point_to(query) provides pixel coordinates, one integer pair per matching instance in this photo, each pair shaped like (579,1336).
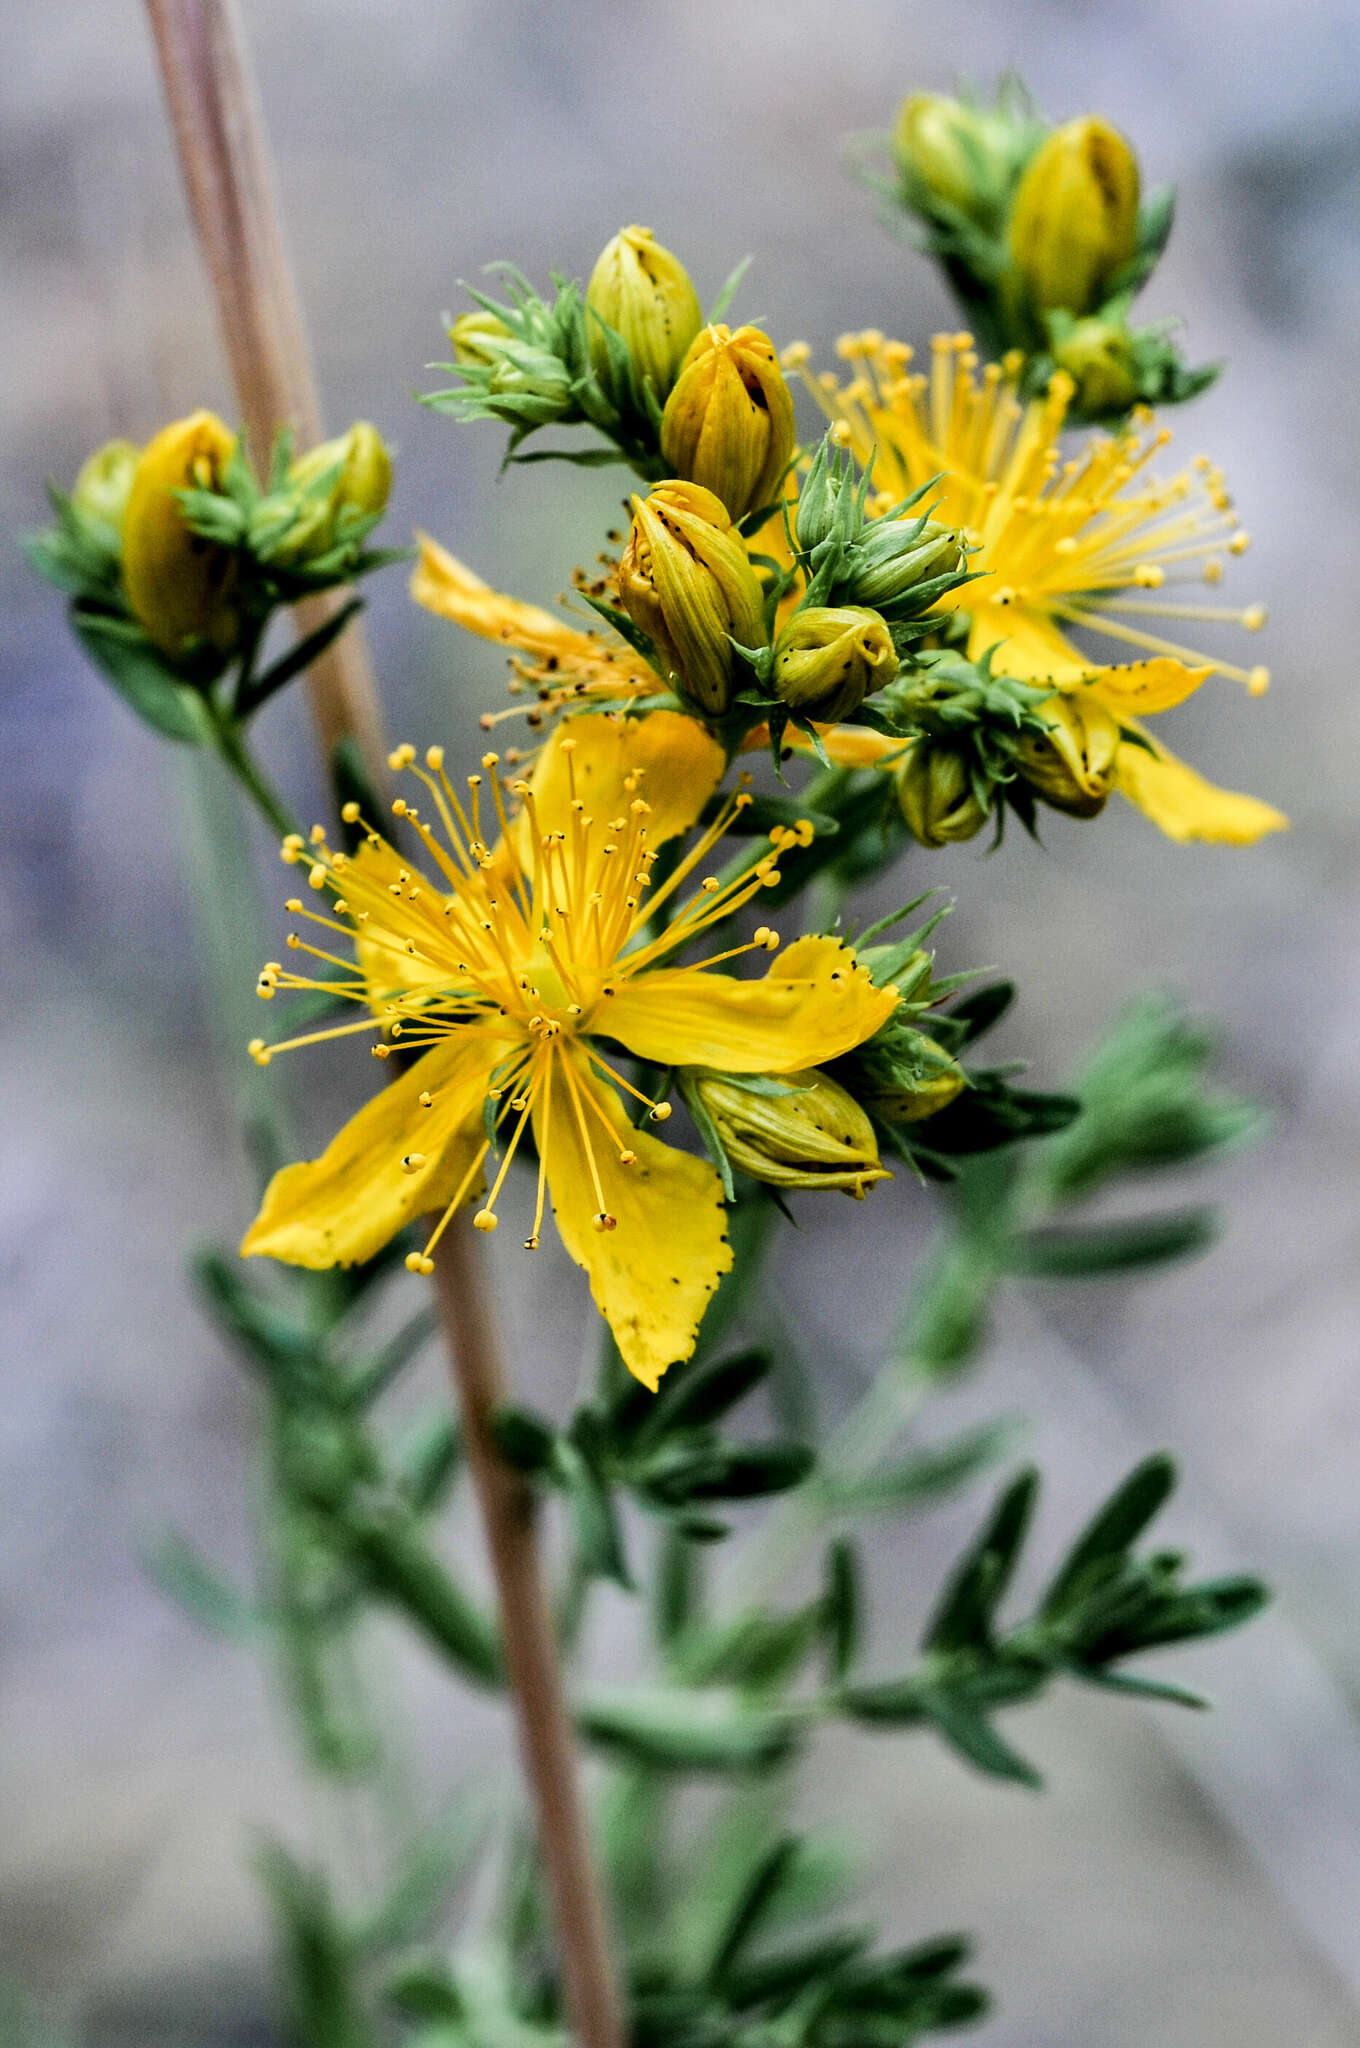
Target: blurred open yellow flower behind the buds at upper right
(1093,542)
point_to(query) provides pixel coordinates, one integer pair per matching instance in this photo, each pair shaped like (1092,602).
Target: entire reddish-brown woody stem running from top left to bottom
(228,177)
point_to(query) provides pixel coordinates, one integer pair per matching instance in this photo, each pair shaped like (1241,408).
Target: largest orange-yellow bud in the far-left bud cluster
(179,585)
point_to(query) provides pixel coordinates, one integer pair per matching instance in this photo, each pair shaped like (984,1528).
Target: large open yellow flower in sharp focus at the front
(507,970)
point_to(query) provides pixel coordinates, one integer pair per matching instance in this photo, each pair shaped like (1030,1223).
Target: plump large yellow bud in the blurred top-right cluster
(1074,222)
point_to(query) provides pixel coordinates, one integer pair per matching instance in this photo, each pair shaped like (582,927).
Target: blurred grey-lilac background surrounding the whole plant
(1175,1885)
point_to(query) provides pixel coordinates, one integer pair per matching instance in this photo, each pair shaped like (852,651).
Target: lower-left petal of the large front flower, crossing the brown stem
(347,1205)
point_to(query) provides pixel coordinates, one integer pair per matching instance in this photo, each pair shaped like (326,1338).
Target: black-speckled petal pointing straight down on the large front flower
(656,1271)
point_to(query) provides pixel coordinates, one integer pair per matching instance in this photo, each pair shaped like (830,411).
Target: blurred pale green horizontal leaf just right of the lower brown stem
(693,1732)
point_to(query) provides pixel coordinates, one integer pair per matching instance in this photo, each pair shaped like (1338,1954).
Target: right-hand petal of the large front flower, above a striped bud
(812,1007)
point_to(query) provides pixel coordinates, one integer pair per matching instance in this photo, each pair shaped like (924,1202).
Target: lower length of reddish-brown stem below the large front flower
(529,1648)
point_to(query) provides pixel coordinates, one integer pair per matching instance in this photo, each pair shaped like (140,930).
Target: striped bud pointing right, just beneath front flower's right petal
(810,1136)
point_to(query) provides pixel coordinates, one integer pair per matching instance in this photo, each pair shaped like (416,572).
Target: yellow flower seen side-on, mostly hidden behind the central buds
(562,665)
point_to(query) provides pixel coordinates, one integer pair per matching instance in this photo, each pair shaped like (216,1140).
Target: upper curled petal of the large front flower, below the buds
(607,761)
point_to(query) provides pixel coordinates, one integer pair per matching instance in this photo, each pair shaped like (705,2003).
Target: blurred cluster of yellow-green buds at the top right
(1046,237)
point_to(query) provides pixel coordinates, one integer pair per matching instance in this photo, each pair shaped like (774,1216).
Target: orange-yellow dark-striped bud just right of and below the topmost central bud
(728,425)
